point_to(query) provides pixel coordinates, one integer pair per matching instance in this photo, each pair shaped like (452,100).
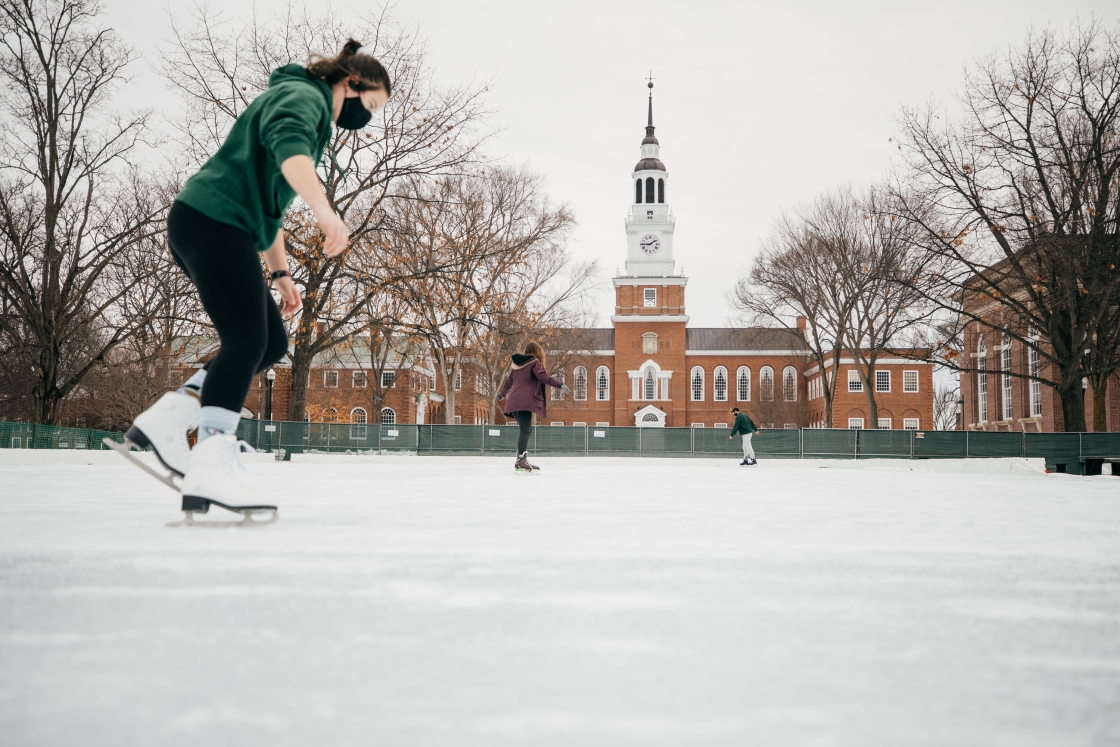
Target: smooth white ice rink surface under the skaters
(415,602)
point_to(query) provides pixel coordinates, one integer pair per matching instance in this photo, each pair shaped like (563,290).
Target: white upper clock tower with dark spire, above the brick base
(650,222)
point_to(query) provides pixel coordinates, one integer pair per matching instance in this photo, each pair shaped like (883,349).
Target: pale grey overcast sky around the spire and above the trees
(759,106)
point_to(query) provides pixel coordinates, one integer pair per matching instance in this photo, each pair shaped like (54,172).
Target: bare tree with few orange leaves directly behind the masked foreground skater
(220,67)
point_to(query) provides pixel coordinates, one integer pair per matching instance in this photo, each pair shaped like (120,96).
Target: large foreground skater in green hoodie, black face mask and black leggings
(227,217)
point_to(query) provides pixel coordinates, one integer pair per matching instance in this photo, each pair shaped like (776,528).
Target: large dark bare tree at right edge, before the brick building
(1018,201)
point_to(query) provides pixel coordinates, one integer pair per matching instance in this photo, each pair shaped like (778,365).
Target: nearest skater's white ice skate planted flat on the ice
(218,478)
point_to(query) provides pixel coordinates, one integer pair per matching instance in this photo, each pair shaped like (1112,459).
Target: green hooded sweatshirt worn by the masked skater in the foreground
(241,184)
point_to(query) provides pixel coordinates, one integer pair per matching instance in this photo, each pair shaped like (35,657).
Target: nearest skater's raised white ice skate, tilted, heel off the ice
(164,428)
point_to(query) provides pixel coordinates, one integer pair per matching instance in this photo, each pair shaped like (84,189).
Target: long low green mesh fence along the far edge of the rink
(1072,453)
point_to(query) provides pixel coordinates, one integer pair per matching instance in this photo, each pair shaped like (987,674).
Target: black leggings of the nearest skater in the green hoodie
(226,267)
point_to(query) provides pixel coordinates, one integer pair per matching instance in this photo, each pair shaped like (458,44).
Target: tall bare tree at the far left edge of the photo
(73,212)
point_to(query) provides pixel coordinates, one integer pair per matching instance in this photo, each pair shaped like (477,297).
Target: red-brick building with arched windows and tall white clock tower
(650,369)
